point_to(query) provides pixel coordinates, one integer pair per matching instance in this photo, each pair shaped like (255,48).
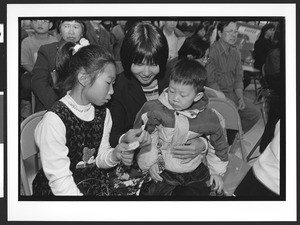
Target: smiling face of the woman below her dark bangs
(145,73)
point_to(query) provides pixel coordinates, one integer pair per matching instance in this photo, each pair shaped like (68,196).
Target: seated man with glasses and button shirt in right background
(225,73)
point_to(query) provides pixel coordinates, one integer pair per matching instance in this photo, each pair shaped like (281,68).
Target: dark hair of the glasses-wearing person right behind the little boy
(194,46)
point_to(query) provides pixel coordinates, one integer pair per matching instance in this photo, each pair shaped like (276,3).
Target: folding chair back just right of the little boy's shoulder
(232,121)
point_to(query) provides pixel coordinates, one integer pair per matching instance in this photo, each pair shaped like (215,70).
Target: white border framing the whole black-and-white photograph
(150,210)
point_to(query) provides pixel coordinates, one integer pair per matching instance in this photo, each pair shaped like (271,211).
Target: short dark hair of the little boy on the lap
(189,72)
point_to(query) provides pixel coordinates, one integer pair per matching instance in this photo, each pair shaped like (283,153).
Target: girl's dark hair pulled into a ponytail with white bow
(91,58)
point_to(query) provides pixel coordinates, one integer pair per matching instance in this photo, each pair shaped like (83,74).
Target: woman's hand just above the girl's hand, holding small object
(137,135)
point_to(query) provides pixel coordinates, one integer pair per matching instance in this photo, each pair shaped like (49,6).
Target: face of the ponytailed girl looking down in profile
(101,90)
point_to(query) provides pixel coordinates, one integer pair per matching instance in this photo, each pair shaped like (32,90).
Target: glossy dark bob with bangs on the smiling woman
(144,41)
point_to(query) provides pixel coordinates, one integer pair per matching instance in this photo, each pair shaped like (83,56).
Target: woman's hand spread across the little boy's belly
(190,150)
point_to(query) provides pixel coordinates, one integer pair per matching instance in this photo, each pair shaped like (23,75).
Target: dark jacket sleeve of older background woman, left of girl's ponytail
(41,78)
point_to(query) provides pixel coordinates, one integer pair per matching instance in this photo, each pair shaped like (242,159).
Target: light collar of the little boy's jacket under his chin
(191,113)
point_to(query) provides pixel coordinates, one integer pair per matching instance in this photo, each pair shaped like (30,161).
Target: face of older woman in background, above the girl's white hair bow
(71,31)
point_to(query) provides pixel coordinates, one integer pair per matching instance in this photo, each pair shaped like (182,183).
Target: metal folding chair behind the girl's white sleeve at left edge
(29,156)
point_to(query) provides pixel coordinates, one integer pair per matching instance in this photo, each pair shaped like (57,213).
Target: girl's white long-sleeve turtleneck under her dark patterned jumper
(50,137)
